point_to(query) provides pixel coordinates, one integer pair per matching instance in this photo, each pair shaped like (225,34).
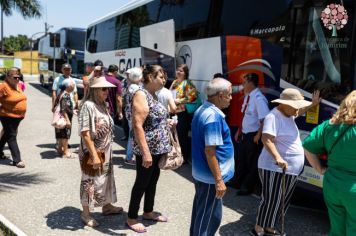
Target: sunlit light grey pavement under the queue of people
(43,198)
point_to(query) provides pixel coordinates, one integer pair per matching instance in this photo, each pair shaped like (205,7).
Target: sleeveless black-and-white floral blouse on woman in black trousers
(155,128)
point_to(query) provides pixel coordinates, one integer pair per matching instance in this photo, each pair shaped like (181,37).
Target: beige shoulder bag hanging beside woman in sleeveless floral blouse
(173,159)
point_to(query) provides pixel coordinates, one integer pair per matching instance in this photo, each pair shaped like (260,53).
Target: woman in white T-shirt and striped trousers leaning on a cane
(282,151)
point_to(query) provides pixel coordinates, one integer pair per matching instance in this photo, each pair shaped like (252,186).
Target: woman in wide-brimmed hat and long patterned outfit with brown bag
(97,188)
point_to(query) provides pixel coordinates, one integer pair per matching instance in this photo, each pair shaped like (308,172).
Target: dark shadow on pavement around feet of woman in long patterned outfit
(68,218)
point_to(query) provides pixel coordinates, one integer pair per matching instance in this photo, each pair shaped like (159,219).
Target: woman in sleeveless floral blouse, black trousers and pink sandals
(151,141)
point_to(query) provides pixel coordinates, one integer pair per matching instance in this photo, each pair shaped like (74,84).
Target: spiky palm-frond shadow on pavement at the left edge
(11,181)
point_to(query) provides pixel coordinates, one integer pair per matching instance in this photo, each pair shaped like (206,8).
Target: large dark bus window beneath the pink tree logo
(319,60)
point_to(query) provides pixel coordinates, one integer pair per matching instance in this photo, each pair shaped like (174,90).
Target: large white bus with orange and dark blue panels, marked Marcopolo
(286,42)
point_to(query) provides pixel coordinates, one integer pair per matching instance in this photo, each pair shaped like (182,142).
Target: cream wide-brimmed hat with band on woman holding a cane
(292,97)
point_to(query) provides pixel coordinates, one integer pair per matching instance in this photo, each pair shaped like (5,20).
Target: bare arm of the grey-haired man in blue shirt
(210,153)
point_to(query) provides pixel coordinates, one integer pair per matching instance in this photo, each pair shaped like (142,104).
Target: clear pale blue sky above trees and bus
(61,13)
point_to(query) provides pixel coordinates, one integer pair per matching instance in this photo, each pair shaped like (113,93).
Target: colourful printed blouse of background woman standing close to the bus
(185,92)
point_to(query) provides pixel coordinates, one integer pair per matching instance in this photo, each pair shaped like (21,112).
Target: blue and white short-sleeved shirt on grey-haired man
(209,128)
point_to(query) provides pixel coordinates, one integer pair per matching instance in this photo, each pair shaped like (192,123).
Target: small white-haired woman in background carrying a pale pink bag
(66,108)
